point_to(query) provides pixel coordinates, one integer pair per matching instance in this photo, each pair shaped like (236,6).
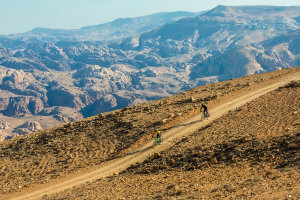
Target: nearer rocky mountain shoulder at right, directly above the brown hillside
(273,54)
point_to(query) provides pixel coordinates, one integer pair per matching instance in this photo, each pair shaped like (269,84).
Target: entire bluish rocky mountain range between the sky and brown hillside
(67,80)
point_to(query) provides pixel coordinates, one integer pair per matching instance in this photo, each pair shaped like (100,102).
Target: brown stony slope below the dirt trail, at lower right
(250,153)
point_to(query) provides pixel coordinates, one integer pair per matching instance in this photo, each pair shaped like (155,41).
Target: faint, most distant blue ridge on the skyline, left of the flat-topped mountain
(115,30)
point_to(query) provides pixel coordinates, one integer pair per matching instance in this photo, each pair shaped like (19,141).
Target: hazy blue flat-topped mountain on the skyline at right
(219,29)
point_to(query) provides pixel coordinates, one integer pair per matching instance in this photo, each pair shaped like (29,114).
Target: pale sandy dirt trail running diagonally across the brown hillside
(142,153)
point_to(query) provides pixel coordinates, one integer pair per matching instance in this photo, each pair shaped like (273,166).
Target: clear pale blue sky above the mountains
(18,16)
